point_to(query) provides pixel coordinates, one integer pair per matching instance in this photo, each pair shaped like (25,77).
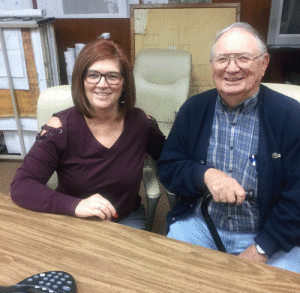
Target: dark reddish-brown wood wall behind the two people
(71,31)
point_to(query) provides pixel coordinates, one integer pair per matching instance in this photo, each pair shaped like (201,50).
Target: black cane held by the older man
(209,222)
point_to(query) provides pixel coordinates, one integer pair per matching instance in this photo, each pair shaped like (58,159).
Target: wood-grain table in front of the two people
(108,257)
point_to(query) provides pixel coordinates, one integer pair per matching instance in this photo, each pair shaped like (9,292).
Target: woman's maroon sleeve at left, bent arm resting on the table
(28,188)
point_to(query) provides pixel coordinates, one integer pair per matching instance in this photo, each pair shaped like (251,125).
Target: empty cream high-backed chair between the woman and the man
(162,80)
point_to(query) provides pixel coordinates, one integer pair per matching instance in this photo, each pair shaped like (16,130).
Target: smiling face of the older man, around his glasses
(236,84)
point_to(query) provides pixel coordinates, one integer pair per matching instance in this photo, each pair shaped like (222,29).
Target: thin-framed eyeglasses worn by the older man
(242,60)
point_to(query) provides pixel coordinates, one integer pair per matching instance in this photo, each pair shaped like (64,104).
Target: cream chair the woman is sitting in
(58,98)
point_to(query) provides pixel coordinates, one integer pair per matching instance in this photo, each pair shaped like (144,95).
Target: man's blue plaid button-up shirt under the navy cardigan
(234,139)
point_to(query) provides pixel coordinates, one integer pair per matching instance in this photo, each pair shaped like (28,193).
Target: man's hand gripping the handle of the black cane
(224,188)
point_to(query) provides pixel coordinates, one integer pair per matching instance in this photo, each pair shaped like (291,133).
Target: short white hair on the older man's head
(244,26)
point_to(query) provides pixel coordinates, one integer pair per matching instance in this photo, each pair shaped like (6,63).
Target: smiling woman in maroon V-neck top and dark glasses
(97,147)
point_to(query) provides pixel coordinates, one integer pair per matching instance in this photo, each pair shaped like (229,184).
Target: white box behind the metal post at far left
(29,130)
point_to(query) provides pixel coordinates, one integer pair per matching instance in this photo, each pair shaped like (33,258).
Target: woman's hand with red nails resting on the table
(96,205)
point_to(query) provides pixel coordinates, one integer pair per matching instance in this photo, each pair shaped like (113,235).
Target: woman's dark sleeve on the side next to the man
(156,139)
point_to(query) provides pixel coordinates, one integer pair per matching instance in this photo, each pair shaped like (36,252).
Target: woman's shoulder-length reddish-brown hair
(96,50)
